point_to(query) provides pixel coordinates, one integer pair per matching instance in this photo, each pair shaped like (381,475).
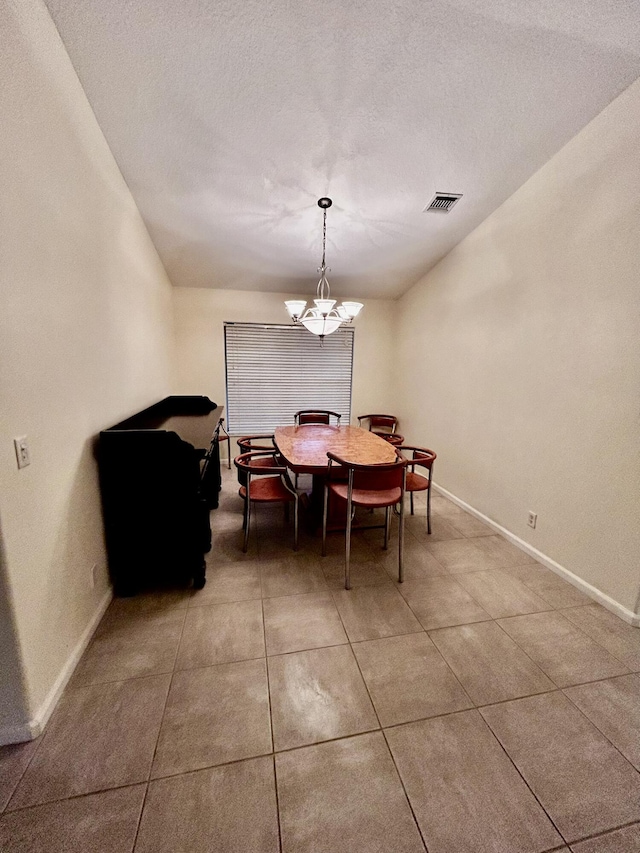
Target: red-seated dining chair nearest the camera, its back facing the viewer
(372,487)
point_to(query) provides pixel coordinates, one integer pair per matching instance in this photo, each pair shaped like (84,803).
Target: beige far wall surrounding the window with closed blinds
(200,315)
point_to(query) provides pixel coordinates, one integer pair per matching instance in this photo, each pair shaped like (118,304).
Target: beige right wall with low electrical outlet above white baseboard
(520,359)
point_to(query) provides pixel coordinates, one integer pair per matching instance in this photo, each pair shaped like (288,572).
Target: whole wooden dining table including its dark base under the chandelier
(304,448)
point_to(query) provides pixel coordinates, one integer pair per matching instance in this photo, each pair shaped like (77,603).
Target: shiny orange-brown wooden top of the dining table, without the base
(305,447)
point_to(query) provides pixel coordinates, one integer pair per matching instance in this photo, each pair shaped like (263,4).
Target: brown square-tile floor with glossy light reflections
(484,705)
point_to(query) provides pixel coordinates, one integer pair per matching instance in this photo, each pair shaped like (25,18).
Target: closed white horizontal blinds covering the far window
(273,371)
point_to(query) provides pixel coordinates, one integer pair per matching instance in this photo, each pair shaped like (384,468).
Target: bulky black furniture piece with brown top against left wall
(159,479)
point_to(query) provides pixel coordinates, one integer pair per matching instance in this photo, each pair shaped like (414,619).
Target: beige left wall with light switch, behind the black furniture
(86,338)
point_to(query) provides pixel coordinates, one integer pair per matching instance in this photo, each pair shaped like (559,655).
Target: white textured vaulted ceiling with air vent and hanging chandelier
(230,118)
